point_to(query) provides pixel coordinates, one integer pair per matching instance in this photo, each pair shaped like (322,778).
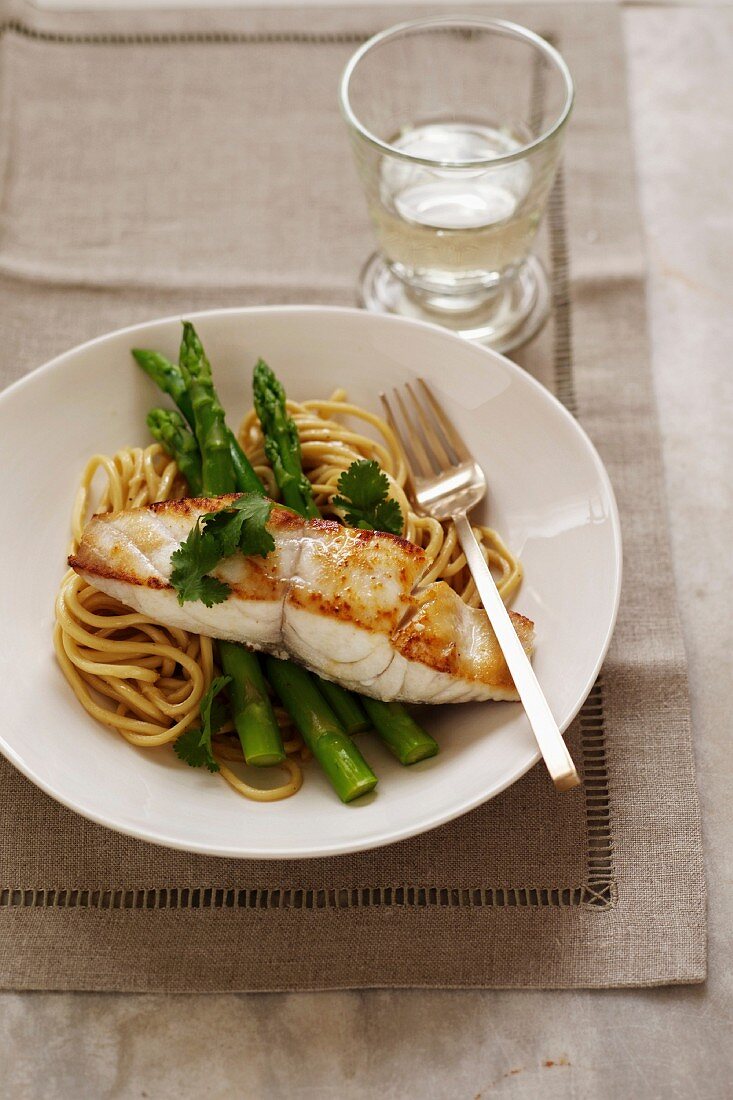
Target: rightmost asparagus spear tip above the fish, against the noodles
(281,442)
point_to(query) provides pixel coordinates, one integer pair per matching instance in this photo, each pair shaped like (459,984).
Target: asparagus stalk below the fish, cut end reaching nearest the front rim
(336,753)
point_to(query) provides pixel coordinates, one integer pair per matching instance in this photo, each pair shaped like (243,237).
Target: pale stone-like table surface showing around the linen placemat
(671,1042)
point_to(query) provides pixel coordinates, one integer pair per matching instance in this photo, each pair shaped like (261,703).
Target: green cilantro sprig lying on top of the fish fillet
(216,536)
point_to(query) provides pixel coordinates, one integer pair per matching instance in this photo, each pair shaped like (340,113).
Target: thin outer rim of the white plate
(441,818)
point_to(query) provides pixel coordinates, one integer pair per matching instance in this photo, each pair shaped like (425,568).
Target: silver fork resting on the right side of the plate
(447,483)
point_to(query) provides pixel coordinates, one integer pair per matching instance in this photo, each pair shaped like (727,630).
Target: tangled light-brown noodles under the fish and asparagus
(147,681)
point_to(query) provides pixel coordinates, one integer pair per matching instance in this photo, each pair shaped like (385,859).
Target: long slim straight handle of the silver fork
(550,740)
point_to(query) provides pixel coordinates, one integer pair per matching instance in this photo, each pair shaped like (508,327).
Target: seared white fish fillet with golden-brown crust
(344,602)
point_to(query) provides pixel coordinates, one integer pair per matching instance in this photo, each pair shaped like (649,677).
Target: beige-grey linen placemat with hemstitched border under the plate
(155,164)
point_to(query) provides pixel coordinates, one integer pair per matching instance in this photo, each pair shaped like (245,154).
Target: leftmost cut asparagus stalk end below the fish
(255,719)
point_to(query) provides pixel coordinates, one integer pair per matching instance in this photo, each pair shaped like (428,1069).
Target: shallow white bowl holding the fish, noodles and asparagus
(550,497)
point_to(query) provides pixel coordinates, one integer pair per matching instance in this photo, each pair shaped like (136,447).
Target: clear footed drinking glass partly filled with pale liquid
(456,126)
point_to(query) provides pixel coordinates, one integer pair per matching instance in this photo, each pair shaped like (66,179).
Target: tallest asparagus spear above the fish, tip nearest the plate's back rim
(218,474)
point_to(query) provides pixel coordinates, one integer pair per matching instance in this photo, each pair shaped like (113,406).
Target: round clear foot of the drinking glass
(507,318)
